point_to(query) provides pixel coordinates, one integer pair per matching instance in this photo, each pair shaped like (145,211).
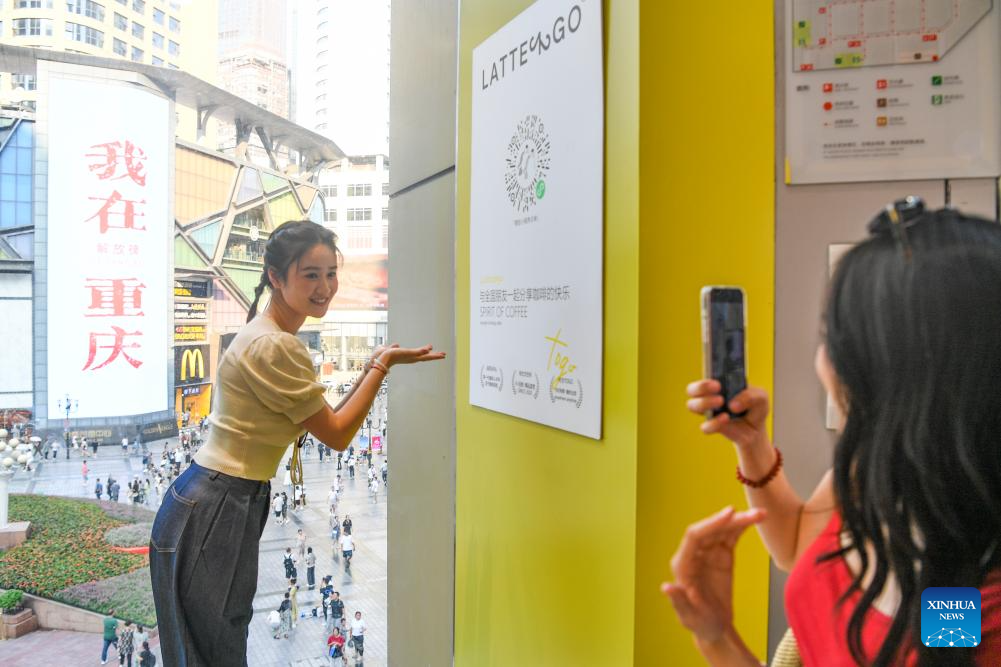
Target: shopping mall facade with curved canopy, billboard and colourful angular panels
(129,256)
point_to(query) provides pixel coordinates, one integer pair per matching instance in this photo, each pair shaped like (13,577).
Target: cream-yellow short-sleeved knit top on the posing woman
(266,388)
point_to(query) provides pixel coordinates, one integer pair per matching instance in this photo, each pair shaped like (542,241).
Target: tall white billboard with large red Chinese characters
(110,241)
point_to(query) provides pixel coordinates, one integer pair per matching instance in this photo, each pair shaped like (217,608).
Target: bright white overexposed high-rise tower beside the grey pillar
(342,78)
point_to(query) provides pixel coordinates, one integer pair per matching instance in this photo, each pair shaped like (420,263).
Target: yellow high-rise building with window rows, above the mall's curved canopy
(173,35)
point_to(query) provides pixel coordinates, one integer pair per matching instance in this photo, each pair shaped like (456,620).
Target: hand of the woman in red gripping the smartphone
(750,430)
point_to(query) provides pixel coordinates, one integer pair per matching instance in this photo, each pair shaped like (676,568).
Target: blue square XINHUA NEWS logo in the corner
(950,617)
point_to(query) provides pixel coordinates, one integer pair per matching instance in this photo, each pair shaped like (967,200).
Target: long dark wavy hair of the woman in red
(913,331)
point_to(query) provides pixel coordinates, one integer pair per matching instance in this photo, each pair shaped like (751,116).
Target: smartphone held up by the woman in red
(724,351)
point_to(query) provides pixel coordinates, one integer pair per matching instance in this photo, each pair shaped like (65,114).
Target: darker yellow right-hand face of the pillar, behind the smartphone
(707,210)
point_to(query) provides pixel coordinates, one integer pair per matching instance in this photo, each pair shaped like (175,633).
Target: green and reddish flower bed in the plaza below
(68,549)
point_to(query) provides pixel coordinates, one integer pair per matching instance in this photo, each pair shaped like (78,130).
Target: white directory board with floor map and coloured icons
(892,91)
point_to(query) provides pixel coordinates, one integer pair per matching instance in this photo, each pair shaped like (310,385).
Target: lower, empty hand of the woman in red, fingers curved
(702,594)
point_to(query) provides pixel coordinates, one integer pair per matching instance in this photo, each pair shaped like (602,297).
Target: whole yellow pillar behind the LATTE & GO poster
(561,541)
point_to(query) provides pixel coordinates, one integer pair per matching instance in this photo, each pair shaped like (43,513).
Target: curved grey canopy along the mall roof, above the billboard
(192,93)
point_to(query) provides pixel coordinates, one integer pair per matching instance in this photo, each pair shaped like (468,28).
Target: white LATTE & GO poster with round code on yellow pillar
(536,218)
